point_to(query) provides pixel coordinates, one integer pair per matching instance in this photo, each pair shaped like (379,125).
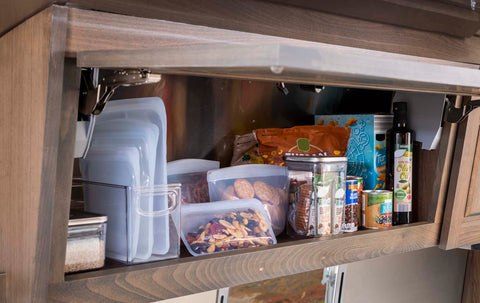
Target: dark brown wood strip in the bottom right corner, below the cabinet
(471,284)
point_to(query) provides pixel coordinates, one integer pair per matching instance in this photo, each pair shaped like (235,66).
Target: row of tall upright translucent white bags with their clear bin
(126,179)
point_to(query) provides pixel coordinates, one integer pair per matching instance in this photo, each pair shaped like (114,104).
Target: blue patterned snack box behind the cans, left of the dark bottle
(367,155)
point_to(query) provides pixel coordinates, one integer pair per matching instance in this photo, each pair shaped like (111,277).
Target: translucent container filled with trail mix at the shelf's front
(225,225)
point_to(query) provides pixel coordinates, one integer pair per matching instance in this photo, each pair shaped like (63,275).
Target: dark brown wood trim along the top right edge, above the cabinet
(425,15)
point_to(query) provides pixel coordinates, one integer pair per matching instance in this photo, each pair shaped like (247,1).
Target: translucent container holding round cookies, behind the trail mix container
(267,183)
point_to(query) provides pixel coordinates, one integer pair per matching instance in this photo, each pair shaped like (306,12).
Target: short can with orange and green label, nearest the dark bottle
(377,208)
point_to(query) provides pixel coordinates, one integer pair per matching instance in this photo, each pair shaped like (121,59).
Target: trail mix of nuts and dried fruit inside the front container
(234,230)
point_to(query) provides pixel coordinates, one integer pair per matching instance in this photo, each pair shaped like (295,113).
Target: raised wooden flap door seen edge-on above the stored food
(320,64)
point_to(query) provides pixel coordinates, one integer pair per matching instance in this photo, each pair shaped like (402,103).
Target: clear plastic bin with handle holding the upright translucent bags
(122,205)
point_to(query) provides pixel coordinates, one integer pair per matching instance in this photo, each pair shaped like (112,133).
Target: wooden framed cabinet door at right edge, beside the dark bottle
(461,222)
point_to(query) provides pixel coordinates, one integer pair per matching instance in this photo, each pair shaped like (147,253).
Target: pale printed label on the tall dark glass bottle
(402,180)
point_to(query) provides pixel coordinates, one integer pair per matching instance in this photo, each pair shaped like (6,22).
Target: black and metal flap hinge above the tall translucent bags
(95,92)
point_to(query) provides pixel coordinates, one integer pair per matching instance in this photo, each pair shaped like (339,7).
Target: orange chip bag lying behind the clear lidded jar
(315,140)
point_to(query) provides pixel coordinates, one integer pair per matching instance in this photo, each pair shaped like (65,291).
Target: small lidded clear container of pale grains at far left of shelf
(85,242)
